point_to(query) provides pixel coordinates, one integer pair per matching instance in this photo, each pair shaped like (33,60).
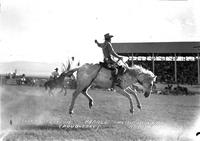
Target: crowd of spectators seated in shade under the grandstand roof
(187,71)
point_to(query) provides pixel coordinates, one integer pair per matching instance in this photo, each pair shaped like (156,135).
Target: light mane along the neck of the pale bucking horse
(140,70)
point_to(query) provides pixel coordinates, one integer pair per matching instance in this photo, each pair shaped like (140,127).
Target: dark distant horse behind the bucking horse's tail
(56,83)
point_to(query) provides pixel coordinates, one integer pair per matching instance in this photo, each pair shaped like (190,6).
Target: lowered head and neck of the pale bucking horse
(144,78)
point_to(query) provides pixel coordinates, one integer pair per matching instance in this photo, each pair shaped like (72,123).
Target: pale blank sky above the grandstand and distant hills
(54,30)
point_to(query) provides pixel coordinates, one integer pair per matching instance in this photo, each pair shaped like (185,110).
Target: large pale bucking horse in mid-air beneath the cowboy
(90,74)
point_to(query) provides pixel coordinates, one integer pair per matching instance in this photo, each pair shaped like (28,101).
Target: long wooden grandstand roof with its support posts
(159,51)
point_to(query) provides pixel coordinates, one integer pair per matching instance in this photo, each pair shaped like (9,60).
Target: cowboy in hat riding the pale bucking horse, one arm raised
(108,52)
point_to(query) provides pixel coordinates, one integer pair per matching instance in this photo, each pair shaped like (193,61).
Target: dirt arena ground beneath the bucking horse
(28,113)
